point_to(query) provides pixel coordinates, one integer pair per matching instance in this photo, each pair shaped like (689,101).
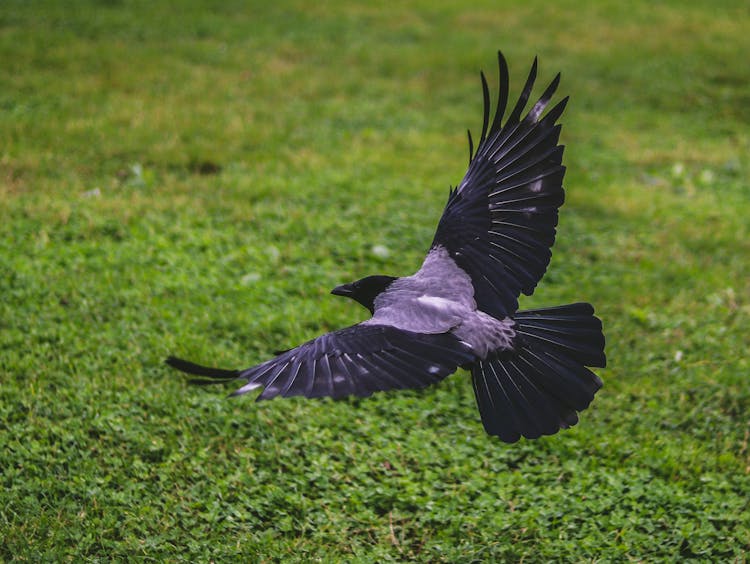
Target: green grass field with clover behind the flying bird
(194,178)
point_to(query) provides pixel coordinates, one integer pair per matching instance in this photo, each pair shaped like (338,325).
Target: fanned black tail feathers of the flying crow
(538,387)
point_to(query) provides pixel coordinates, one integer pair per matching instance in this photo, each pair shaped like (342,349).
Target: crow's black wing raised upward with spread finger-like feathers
(499,223)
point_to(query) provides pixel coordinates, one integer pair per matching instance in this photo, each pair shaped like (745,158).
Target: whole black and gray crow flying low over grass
(460,309)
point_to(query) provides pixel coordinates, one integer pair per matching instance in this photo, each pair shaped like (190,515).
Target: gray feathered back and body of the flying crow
(439,298)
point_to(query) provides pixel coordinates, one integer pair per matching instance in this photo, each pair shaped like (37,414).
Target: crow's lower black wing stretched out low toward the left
(358,361)
